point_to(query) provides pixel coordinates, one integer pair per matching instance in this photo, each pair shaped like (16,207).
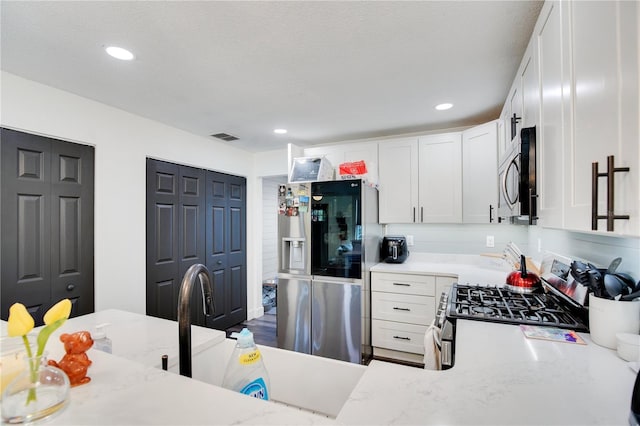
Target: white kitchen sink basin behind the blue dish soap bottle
(316,384)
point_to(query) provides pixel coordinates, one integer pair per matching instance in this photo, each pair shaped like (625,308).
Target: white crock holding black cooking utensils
(608,317)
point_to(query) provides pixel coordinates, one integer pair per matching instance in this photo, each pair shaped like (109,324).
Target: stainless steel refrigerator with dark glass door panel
(329,238)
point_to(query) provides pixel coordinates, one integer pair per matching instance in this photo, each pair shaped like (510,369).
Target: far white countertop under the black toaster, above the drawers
(470,269)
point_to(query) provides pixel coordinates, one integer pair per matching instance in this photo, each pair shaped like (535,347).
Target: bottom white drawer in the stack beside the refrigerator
(398,336)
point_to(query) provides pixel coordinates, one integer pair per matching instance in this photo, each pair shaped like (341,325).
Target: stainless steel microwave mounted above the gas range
(517,202)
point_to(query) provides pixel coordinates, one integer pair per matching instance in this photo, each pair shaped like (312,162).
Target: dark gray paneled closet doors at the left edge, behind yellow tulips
(47,223)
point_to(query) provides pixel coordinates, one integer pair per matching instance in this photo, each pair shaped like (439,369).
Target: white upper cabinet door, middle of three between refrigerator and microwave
(440,182)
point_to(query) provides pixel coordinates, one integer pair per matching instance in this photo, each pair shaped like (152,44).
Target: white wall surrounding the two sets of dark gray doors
(122,143)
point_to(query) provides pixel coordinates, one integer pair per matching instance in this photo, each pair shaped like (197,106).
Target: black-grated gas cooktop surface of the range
(497,304)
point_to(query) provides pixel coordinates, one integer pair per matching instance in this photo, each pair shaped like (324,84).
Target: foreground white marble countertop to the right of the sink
(500,377)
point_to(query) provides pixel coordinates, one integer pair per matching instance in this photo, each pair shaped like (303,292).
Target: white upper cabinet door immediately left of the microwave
(480,173)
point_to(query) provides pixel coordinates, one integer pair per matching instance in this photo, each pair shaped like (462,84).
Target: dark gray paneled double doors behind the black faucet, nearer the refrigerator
(195,216)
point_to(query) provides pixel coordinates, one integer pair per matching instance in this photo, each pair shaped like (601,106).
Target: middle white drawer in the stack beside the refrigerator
(407,308)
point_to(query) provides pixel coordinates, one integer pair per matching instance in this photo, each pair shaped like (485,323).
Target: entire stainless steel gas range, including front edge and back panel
(551,306)
